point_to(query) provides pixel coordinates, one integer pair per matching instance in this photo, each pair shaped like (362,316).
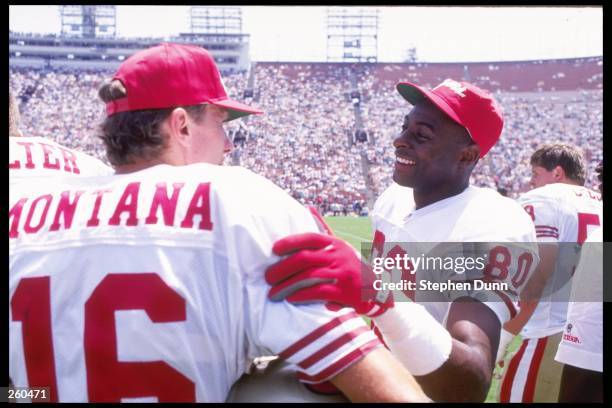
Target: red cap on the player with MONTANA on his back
(170,75)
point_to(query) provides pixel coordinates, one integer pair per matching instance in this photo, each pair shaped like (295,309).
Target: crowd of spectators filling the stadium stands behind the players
(302,142)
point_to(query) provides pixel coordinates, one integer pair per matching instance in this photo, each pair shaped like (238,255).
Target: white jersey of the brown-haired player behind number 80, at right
(562,213)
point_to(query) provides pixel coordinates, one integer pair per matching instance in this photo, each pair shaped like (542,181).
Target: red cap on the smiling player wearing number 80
(466,104)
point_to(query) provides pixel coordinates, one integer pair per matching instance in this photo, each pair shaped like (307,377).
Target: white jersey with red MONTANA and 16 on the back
(150,286)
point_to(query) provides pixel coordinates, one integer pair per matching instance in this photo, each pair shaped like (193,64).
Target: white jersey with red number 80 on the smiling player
(476,215)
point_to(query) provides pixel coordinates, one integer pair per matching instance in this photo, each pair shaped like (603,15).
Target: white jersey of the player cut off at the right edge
(582,342)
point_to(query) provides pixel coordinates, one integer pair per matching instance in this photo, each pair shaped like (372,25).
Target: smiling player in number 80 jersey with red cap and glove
(449,345)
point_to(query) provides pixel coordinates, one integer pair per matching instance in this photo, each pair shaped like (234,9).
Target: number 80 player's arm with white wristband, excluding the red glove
(452,364)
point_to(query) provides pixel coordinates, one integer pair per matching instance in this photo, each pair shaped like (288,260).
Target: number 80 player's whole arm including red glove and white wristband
(452,364)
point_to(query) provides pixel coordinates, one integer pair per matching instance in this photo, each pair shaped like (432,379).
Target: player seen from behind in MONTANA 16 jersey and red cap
(148,285)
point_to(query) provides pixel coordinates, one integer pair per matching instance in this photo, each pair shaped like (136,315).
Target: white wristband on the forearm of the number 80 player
(414,337)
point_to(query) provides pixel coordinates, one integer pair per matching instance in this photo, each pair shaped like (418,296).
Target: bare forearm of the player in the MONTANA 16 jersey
(379,377)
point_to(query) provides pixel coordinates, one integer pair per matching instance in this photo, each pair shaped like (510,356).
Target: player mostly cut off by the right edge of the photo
(581,347)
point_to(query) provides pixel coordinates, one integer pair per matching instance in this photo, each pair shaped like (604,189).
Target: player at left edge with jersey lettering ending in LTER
(33,156)
